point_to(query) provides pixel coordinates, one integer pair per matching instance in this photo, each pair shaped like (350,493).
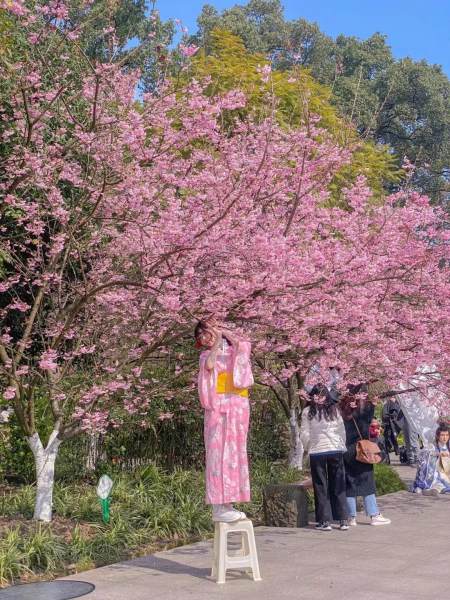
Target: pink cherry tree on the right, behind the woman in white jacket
(370,297)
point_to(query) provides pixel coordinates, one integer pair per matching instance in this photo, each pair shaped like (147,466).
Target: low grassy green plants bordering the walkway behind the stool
(150,507)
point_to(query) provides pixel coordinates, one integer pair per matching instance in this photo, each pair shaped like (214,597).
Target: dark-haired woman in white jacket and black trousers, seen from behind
(323,437)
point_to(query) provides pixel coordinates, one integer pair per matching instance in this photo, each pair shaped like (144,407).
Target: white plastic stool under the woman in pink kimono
(245,559)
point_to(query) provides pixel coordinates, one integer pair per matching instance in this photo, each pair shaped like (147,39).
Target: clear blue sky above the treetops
(414,28)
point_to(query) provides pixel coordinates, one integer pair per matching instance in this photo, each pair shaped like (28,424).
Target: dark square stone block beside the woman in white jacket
(286,505)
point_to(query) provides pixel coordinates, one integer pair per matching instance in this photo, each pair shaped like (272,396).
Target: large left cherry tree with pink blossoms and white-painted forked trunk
(120,220)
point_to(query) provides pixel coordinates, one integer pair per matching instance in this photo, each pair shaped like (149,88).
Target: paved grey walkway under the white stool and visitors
(406,560)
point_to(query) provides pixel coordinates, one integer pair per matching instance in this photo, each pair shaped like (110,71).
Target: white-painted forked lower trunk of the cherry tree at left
(44,459)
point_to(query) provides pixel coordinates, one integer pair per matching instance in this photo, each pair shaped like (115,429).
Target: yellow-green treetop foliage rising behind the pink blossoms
(230,65)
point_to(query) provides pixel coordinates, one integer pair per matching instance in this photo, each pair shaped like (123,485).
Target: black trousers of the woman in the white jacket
(328,477)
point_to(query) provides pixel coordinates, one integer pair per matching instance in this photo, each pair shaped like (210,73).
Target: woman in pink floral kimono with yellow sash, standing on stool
(224,378)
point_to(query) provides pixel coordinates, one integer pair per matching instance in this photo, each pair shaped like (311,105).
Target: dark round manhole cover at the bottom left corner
(47,590)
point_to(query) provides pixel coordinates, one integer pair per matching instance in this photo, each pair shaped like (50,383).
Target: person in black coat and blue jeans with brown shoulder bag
(358,412)
